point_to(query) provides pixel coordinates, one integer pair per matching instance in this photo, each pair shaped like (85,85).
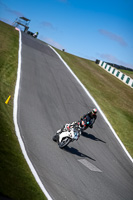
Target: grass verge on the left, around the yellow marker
(16,179)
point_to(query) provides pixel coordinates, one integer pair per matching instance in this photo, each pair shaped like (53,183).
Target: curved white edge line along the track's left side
(16,123)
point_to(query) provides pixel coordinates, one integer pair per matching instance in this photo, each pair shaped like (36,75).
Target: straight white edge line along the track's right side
(122,145)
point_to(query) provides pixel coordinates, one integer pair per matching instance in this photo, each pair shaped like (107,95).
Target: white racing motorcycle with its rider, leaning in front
(69,133)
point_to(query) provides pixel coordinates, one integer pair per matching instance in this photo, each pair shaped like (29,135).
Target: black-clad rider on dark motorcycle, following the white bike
(90,118)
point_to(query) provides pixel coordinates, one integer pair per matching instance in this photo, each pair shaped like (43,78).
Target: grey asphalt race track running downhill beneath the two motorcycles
(93,168)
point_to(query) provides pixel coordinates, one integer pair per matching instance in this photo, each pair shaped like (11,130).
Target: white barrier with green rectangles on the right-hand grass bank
(118,74)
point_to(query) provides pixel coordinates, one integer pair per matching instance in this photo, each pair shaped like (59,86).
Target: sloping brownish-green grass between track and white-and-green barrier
(113,96)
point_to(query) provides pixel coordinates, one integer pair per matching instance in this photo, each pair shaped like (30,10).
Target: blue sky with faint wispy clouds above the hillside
(98,29)
